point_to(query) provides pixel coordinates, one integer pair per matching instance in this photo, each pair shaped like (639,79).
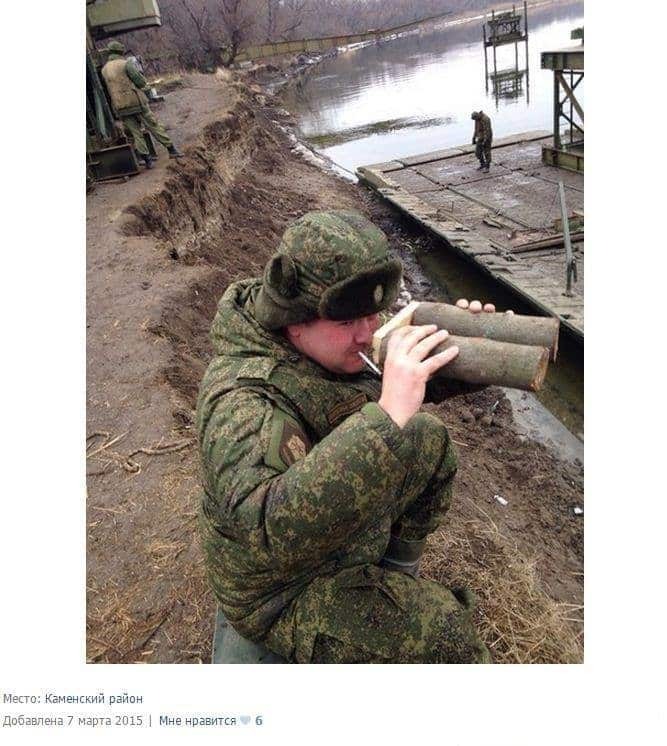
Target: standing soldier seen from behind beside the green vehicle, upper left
(126,86)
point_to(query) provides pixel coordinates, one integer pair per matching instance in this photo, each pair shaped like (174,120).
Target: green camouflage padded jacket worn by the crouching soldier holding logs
(301,468)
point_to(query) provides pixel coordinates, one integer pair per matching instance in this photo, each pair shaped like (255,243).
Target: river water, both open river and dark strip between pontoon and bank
(414,94)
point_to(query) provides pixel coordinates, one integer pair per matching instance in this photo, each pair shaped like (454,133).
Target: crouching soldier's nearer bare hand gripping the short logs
(407,368)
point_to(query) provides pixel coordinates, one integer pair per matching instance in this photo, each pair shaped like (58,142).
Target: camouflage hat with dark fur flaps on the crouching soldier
(330,265)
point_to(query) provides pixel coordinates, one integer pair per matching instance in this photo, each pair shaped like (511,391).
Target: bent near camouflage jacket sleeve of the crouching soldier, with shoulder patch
(307,508)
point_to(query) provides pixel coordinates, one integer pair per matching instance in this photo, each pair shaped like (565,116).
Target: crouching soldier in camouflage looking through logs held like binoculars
(322,482)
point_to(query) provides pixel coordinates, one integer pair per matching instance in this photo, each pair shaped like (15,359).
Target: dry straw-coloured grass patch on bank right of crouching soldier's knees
(517,620)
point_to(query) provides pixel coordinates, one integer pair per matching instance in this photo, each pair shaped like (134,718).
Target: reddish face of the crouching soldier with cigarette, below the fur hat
(334,344)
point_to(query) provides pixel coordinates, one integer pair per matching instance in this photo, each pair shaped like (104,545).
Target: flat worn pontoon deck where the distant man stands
(495,219)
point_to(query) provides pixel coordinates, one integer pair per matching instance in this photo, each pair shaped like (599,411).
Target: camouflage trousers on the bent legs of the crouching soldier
(369,614)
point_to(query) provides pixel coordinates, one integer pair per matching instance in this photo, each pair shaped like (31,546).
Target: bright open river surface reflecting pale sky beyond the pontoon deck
(428,84)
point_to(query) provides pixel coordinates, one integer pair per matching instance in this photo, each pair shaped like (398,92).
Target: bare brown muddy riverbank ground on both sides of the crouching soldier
(162,246)
